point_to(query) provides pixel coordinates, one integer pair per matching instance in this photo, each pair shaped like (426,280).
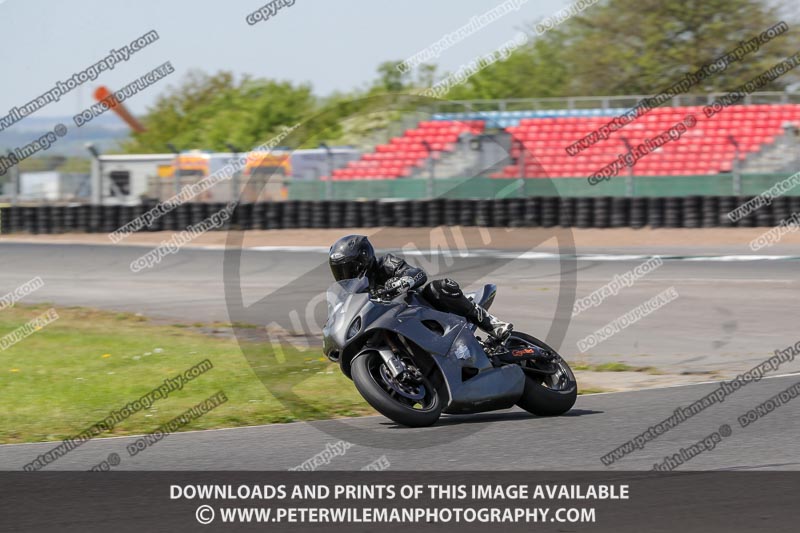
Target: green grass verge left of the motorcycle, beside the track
(71,373)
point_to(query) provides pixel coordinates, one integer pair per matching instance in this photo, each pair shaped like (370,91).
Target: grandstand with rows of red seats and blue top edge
(757,134)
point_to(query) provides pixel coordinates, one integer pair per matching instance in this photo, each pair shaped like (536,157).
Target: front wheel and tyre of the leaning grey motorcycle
(412,404)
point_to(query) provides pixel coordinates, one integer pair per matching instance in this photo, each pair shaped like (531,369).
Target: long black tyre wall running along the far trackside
(536,211)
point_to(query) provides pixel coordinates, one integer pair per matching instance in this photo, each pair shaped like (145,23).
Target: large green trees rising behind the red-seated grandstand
(620,47)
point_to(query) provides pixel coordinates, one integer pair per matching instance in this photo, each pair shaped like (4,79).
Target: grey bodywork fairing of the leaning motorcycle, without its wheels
(448,338)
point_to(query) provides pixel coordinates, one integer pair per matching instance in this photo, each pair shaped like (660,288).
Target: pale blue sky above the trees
(334,45)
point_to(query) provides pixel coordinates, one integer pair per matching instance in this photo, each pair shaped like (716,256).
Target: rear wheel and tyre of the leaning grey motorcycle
(546,394)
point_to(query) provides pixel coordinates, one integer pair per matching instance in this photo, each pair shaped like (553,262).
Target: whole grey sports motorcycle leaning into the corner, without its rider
(412,363)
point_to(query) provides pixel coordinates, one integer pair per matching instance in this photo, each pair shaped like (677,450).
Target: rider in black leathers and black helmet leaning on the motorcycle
(353,256)
